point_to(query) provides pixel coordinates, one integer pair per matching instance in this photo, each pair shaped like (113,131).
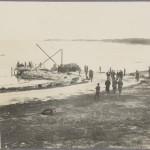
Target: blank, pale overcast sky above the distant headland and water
(68,20)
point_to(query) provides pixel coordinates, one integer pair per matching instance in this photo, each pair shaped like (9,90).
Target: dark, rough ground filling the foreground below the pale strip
(79,121)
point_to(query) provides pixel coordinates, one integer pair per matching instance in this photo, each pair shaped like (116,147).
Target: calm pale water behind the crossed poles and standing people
(93,54)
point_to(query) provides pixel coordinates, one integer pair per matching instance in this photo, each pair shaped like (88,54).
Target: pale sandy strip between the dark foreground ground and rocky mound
(59,92)
